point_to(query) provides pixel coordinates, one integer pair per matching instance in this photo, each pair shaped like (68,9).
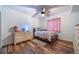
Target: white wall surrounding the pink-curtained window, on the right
(68,22)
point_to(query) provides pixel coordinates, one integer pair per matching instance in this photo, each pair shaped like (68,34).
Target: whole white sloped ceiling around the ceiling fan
(36,9)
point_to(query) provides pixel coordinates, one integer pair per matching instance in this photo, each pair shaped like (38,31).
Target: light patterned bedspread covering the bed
(44,34)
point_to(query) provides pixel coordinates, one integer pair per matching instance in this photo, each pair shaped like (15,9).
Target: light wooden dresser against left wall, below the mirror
(22,36)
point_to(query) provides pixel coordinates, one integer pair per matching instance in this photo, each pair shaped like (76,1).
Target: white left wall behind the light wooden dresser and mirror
(10,18)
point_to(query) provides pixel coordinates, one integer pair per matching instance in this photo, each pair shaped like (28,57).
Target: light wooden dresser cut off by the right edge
(76,40)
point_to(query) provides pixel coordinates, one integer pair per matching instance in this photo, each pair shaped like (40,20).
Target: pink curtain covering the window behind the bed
(54,25)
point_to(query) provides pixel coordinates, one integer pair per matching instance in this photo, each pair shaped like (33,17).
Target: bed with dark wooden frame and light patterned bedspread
(44,35)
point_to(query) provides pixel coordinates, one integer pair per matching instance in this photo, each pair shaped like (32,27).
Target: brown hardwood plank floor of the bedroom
(31,47)
